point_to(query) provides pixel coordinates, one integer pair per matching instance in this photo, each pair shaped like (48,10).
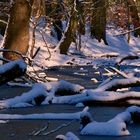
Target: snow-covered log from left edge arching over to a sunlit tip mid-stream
(41,94)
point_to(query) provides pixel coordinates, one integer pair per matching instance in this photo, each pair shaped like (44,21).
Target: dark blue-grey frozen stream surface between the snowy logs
(21,129)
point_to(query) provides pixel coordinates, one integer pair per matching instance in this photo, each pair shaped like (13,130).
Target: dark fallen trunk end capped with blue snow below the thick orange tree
(12,70)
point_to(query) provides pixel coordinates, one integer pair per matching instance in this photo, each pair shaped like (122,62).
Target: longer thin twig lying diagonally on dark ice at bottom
(58,128)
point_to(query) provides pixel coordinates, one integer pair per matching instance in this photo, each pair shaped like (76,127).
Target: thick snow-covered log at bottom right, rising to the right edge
(113,127)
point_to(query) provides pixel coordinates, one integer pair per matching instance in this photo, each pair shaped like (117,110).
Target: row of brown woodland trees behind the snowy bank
(68,18)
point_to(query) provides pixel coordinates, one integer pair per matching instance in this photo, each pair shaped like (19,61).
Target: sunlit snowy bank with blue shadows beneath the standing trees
(92,52)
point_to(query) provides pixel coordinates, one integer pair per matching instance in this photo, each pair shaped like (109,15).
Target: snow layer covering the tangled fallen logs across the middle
(48,91)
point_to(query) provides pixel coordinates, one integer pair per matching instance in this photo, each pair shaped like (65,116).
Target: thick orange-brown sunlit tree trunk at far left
(17,33)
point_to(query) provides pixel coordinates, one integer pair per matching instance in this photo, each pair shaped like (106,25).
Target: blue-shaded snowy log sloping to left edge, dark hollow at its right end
(33,97)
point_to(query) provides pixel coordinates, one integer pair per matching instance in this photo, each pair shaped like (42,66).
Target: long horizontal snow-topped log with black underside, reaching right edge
(91,97)
